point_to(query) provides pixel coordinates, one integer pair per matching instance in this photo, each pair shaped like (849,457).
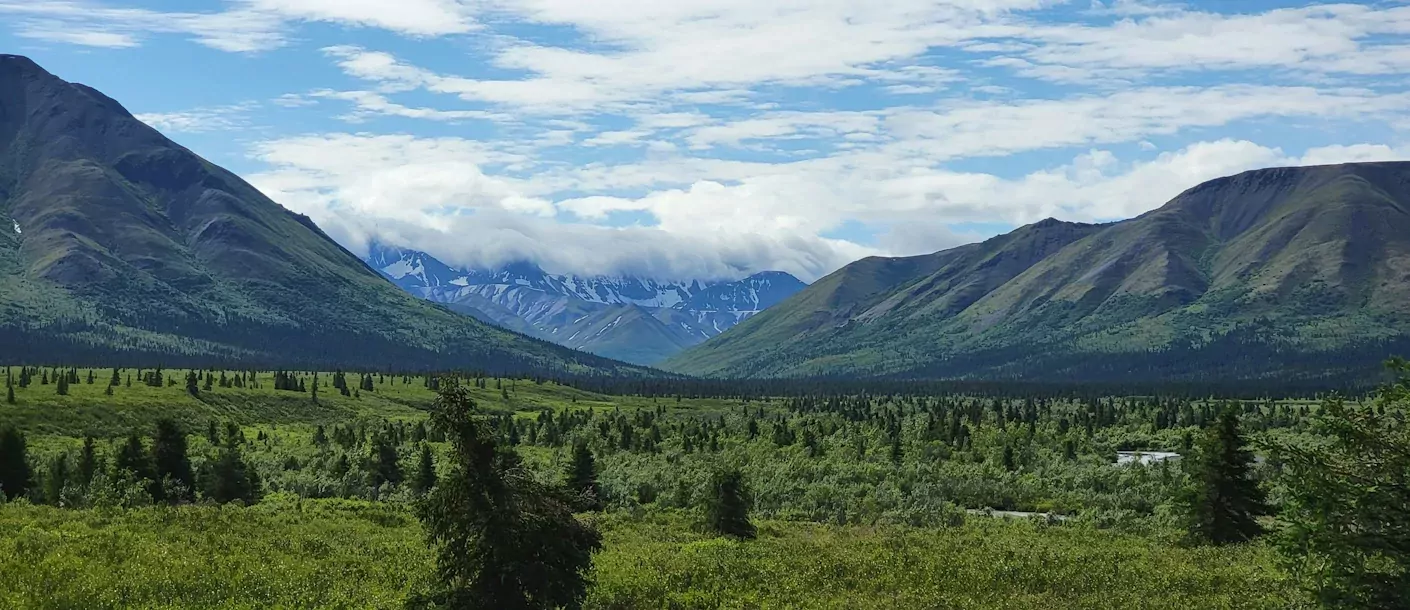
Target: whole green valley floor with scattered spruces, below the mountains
(150,488)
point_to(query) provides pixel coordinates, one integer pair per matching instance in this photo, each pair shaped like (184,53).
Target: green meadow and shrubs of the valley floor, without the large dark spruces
(861,502)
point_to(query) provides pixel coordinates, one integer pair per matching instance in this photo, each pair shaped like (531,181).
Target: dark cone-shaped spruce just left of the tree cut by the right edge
(1223,501)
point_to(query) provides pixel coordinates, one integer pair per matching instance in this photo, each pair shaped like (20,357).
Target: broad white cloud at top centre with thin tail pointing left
(706,53)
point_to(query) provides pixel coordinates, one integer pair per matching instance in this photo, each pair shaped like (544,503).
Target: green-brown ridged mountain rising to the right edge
(1288,273)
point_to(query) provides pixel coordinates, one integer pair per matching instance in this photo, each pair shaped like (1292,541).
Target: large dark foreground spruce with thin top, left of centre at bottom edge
(503,540)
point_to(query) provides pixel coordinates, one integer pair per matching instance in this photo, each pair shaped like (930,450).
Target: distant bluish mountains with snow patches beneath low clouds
(628,319)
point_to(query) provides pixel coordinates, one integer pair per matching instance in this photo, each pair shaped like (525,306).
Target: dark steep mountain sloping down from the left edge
(121,247)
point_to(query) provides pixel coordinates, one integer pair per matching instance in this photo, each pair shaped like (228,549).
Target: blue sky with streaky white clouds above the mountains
(714,139)
